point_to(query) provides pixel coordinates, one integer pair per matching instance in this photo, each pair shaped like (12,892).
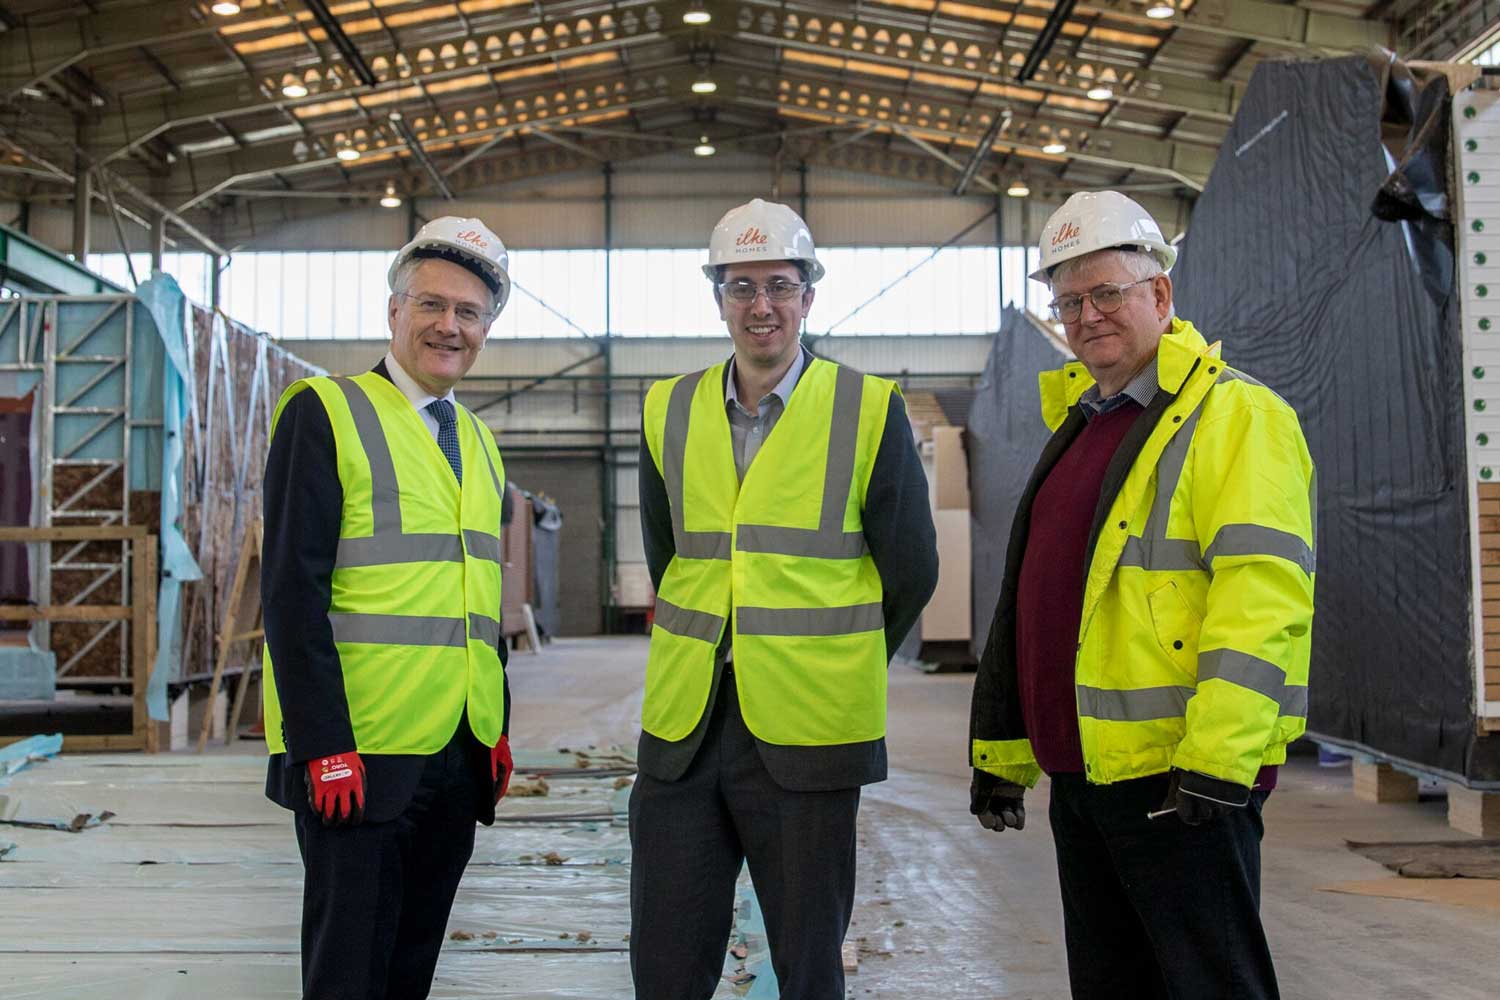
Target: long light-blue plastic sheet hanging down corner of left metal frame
(167,304)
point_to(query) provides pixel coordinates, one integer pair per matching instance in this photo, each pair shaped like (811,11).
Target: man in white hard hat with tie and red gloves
(386,698)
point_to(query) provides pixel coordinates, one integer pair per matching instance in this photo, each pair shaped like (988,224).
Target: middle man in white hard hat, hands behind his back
(791,543)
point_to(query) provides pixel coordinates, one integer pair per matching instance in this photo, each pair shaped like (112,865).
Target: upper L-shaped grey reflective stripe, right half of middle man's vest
(829,540)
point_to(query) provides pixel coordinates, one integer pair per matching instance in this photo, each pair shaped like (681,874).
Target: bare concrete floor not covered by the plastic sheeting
(947,911)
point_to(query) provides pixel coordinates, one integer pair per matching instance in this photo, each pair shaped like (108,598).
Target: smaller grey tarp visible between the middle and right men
(1004,440)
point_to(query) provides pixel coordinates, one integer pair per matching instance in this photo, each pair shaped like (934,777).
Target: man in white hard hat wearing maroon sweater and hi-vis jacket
(1150,650)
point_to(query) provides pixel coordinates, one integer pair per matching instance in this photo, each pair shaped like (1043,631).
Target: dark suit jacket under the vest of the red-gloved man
(304,506)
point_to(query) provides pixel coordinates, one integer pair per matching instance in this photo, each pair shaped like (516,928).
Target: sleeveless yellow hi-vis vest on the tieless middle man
(784,552)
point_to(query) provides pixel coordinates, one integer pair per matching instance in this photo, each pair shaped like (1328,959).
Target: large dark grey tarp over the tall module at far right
(1336,310)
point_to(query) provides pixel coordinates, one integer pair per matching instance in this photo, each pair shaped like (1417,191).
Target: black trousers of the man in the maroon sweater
(1157,909)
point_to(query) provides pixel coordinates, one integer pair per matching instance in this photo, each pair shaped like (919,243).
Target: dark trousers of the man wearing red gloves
(377,896)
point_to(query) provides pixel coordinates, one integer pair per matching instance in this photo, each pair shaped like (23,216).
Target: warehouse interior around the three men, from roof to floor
(200,203)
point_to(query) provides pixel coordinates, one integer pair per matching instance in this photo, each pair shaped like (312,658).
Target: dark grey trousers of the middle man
(688,842)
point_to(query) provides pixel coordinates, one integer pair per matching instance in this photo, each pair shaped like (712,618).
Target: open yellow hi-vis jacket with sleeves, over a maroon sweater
(1198,608)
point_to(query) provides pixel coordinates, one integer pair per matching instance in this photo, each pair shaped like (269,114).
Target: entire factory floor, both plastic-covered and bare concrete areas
(944,909)
